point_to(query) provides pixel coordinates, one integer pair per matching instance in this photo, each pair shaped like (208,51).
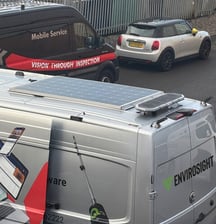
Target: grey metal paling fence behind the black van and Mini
(112,16)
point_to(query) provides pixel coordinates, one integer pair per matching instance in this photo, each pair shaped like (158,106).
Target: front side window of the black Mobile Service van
(84,36)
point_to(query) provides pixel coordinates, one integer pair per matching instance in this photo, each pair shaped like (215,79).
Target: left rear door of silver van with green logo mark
(172,157)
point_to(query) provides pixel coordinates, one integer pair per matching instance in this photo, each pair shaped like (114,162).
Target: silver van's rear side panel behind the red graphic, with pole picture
(109,157)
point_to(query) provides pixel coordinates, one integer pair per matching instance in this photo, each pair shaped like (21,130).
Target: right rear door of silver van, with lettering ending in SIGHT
(203,166)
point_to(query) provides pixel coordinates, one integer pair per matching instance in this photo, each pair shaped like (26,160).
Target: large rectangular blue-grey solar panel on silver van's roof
(88,92)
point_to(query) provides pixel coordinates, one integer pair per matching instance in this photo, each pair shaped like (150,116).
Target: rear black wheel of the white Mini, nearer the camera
(166,61)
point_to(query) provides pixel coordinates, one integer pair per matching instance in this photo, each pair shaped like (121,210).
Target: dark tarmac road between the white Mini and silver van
(194,78)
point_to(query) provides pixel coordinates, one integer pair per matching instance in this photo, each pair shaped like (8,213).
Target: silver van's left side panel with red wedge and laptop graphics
(22,175)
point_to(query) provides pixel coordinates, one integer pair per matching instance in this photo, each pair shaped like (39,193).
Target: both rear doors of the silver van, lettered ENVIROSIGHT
(185,182)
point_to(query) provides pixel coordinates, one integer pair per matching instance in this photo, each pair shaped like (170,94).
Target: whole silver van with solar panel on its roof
(81,151)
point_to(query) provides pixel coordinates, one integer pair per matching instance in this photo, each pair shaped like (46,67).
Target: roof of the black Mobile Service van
(30,12)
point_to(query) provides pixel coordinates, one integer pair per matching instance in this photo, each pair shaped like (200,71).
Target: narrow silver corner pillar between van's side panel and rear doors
(144,179)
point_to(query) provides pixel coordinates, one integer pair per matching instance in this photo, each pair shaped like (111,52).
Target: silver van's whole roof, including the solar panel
(77,98)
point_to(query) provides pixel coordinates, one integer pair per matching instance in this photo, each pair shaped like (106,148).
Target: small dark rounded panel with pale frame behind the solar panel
(160,102)
